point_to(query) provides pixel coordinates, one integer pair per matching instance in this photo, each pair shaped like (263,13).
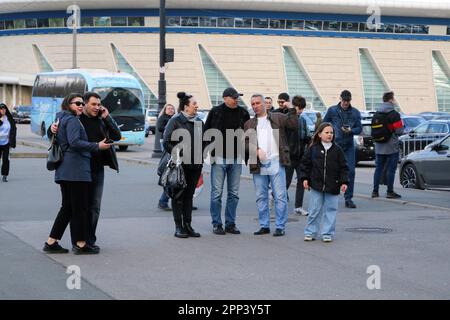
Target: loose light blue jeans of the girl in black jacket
(324,206)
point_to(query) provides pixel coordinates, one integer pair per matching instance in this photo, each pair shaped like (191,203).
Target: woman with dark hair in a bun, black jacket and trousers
(191,162)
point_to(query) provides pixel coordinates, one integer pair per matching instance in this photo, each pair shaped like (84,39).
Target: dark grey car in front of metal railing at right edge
(428,168)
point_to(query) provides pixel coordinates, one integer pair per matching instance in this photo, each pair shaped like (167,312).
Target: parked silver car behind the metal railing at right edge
(423,135)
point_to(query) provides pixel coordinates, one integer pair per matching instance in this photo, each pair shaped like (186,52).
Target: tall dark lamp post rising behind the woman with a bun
(157,152)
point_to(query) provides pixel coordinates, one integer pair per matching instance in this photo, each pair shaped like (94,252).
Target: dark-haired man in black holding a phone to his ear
(99,126)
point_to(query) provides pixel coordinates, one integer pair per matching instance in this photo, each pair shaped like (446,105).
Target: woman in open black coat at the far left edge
(8,133)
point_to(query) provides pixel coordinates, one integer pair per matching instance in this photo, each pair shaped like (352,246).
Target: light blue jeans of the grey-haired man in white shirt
(278,184)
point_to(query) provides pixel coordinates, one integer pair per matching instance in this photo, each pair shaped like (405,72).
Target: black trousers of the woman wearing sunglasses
(74,209)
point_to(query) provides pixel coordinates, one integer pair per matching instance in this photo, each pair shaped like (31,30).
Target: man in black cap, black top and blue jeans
(228,163)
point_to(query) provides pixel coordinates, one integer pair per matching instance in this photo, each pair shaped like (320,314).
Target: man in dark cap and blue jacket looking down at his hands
(346,121)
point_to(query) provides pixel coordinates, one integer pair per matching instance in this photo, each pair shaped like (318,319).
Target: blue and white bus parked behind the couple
(120,93)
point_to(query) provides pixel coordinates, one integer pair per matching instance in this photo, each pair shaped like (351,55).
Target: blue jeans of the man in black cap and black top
(233,174)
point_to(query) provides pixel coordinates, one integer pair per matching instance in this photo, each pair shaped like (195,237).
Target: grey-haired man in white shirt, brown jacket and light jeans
(271,148)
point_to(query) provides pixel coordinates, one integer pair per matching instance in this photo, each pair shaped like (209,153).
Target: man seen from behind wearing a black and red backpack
(387,153)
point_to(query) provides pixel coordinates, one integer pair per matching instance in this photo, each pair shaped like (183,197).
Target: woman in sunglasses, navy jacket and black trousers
(73,175)
